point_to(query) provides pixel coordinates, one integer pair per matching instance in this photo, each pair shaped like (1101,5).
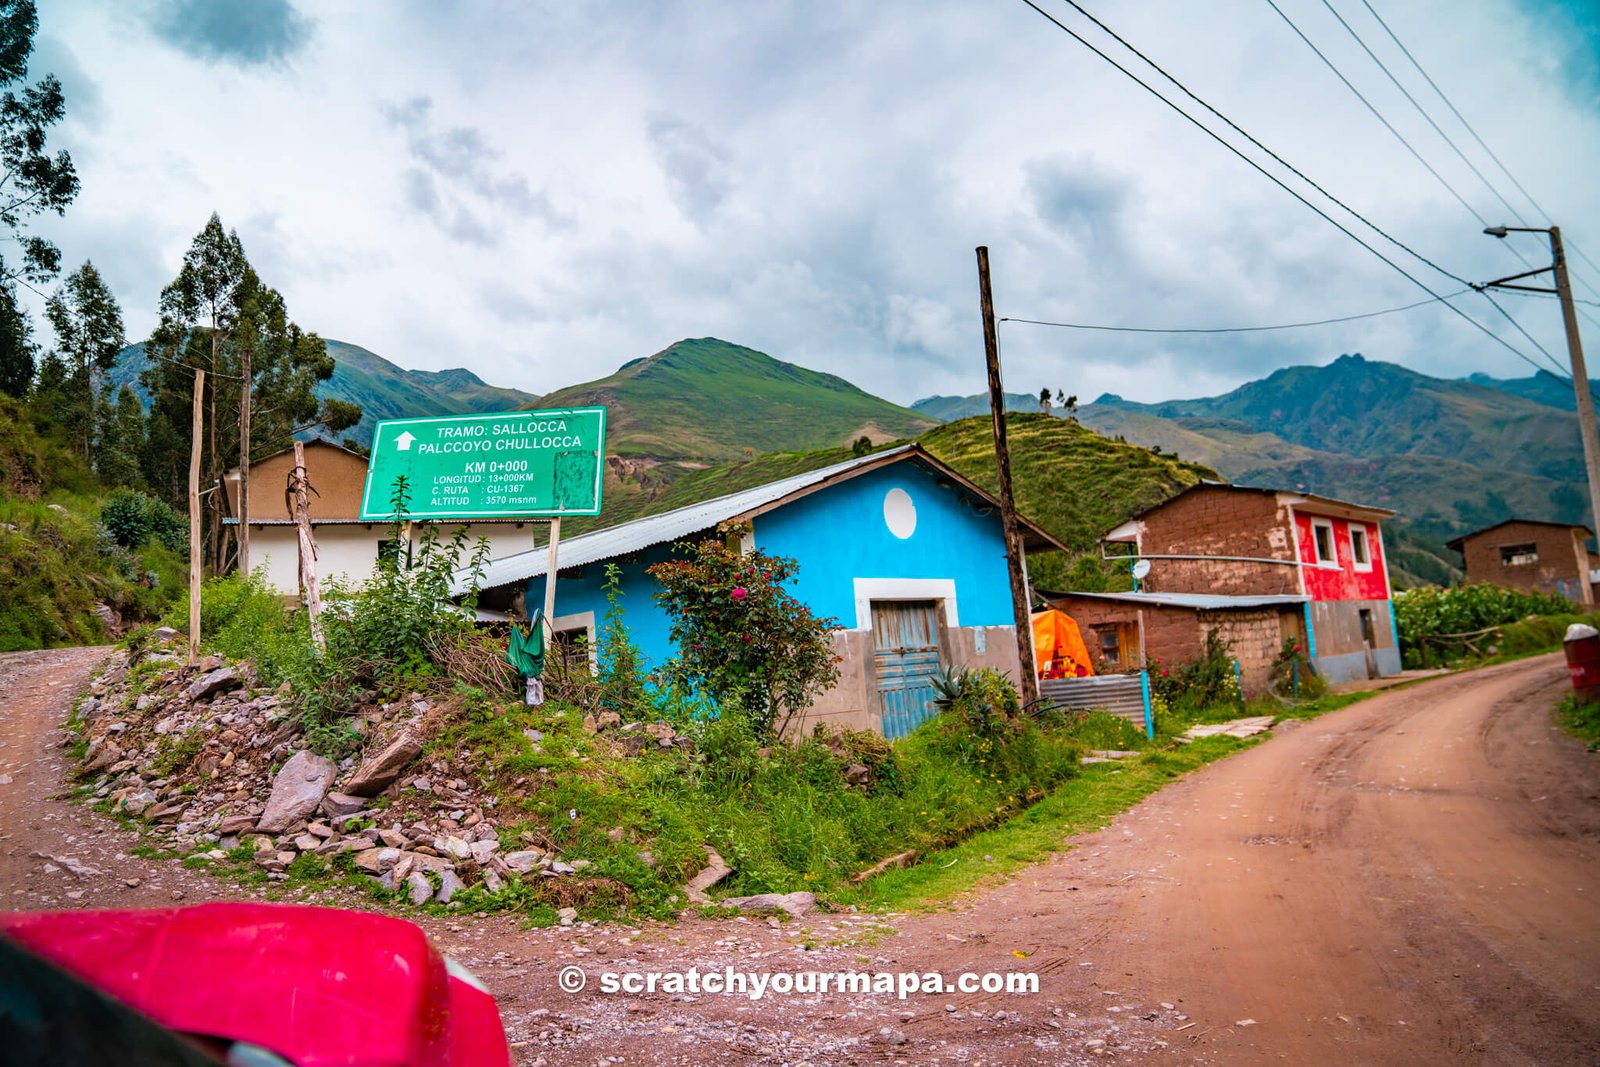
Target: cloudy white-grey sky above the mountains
(546,191)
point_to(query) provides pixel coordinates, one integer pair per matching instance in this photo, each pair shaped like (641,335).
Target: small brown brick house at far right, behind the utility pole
(1532,556)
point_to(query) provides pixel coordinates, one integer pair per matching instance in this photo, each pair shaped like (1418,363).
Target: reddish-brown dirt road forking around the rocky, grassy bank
(1412,881)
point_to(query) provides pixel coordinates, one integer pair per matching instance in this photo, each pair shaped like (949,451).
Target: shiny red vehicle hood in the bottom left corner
(316,986)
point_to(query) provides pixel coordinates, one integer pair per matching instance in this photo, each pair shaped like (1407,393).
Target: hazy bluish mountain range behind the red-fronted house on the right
(1447,457)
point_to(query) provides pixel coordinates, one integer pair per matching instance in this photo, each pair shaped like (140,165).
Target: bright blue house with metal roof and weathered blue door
(906,554)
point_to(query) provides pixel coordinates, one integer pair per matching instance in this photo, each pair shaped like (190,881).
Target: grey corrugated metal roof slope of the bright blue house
(642,533)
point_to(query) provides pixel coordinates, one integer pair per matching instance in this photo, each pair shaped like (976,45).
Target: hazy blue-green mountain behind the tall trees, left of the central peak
(383,390)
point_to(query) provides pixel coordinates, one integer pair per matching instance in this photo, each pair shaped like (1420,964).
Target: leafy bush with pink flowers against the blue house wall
(742,634)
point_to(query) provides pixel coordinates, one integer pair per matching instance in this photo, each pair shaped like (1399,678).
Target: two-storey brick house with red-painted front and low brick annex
(1262,565)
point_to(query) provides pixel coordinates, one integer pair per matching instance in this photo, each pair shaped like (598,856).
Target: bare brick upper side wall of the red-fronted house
(1217,522)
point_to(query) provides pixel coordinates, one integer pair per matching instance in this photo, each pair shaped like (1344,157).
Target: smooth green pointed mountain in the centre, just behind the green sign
(711,401)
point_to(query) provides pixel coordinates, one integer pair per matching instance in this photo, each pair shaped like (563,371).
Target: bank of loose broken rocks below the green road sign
(212,762)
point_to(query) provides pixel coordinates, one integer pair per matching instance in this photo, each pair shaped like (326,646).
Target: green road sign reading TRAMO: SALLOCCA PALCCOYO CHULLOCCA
(516,465)
